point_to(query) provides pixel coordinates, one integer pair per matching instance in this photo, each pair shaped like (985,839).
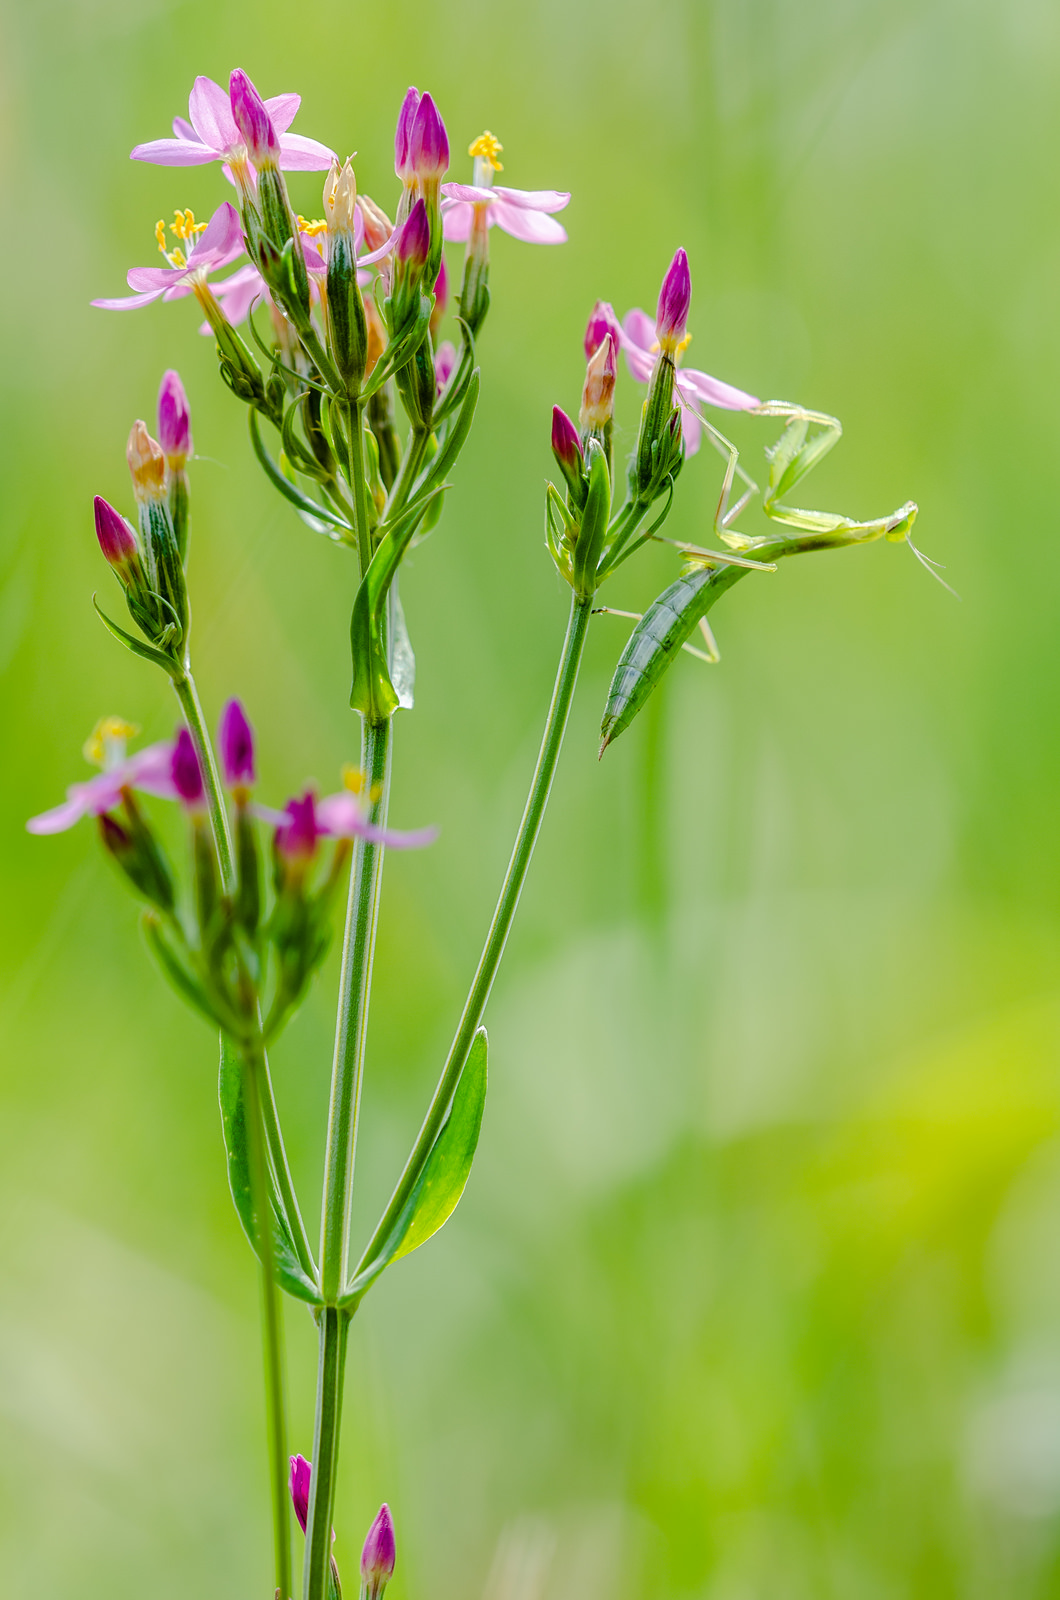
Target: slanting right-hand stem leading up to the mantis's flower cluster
(526,839)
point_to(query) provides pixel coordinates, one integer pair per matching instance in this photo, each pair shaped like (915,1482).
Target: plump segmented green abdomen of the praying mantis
(656,641)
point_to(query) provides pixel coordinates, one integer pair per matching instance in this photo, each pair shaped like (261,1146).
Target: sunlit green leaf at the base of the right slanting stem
(443,1177)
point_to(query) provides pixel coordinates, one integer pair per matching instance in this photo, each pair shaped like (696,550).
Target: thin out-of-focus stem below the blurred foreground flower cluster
(271,1316)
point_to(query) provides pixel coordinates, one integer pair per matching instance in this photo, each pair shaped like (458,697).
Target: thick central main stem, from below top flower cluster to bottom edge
(339,1167)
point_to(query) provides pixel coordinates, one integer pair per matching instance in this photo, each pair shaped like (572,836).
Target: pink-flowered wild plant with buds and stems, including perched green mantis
(327,332)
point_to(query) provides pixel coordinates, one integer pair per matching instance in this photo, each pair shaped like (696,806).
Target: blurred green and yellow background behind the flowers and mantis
(755,1294)
